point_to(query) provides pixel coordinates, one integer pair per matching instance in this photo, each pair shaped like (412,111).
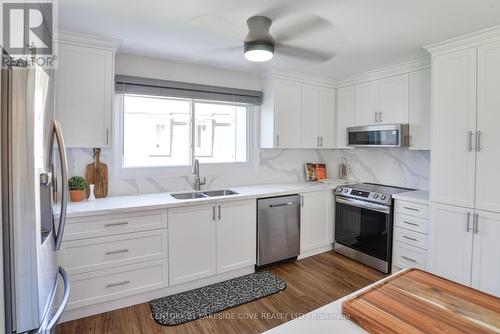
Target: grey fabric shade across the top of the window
(156,87)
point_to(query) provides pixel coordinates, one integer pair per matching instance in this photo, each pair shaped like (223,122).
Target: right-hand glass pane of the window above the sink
(220,133)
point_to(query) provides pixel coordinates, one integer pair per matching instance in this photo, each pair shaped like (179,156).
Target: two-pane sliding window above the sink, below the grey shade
(167,132)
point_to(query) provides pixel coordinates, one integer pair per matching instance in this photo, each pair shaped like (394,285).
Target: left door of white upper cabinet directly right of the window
(287,106)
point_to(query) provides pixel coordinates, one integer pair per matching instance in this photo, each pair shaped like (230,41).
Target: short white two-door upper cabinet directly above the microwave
(383,101)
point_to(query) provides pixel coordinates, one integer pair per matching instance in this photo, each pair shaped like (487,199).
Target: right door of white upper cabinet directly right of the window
(309,116)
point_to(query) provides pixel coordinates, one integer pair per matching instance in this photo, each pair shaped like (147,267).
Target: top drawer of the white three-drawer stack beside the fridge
(98,226)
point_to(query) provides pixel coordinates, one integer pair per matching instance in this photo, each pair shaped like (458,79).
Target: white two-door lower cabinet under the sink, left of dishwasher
(210,239)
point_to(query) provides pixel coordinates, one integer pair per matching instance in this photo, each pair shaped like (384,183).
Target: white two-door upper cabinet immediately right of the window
(297,114)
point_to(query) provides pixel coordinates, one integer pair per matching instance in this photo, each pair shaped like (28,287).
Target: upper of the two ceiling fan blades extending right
(310,24)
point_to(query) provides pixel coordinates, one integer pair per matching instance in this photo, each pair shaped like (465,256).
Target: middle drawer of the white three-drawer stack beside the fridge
(106,252)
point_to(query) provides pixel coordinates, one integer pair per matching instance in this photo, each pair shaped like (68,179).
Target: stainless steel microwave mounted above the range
(387,135)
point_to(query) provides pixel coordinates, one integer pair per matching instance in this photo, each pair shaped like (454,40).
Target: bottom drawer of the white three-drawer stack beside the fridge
(104,285)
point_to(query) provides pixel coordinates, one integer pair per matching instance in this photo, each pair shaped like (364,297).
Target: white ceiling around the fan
(363,35)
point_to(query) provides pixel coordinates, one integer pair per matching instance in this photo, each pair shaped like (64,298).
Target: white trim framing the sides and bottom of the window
(206,169)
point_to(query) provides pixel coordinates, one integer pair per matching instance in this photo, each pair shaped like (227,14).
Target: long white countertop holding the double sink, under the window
(115,204)
